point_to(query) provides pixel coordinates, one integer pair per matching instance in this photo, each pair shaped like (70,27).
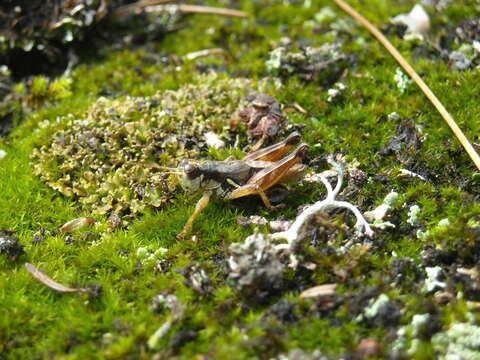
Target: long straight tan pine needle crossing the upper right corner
(418,80)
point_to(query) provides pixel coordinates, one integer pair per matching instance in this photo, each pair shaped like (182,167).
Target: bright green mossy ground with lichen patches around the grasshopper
(413,288)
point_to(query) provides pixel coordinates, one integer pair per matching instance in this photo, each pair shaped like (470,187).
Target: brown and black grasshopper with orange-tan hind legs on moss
(257,174)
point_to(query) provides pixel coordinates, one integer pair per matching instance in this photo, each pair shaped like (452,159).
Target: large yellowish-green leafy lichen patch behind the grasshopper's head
(102,157)
